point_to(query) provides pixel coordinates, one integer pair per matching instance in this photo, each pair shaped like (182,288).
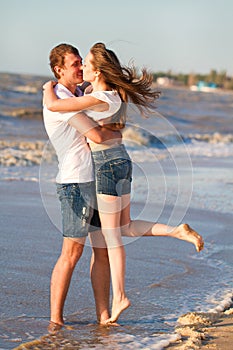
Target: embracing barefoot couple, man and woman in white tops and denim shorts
(84,123)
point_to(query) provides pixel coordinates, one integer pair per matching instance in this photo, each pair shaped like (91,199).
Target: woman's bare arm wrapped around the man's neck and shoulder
(72,104)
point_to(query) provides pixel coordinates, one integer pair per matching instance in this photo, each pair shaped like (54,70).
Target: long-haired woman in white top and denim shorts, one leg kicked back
(114,86)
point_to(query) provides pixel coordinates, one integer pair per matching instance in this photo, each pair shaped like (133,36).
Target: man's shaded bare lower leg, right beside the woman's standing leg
(100,276)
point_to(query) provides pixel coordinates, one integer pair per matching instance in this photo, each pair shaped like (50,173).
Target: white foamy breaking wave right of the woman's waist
(143,144)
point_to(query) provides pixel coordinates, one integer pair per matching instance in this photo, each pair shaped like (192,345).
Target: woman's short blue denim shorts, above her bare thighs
(113,171)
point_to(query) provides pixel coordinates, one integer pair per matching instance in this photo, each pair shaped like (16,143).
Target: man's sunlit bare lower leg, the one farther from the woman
(71,252)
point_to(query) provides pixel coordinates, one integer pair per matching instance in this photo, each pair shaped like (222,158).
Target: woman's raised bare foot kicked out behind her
(186,233)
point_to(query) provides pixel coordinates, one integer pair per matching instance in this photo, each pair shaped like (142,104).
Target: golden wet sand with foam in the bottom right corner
(205,331)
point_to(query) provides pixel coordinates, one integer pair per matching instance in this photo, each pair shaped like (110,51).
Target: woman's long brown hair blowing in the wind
(125,81)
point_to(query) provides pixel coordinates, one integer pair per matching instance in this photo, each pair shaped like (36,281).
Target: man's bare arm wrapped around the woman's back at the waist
(89,128)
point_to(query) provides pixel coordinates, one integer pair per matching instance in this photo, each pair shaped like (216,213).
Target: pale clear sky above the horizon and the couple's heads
(184,36)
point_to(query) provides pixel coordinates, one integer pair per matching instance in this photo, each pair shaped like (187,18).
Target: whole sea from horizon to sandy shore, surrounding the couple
(182,172)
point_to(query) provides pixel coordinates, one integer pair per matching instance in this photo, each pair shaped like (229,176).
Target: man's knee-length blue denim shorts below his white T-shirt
(78,208)
